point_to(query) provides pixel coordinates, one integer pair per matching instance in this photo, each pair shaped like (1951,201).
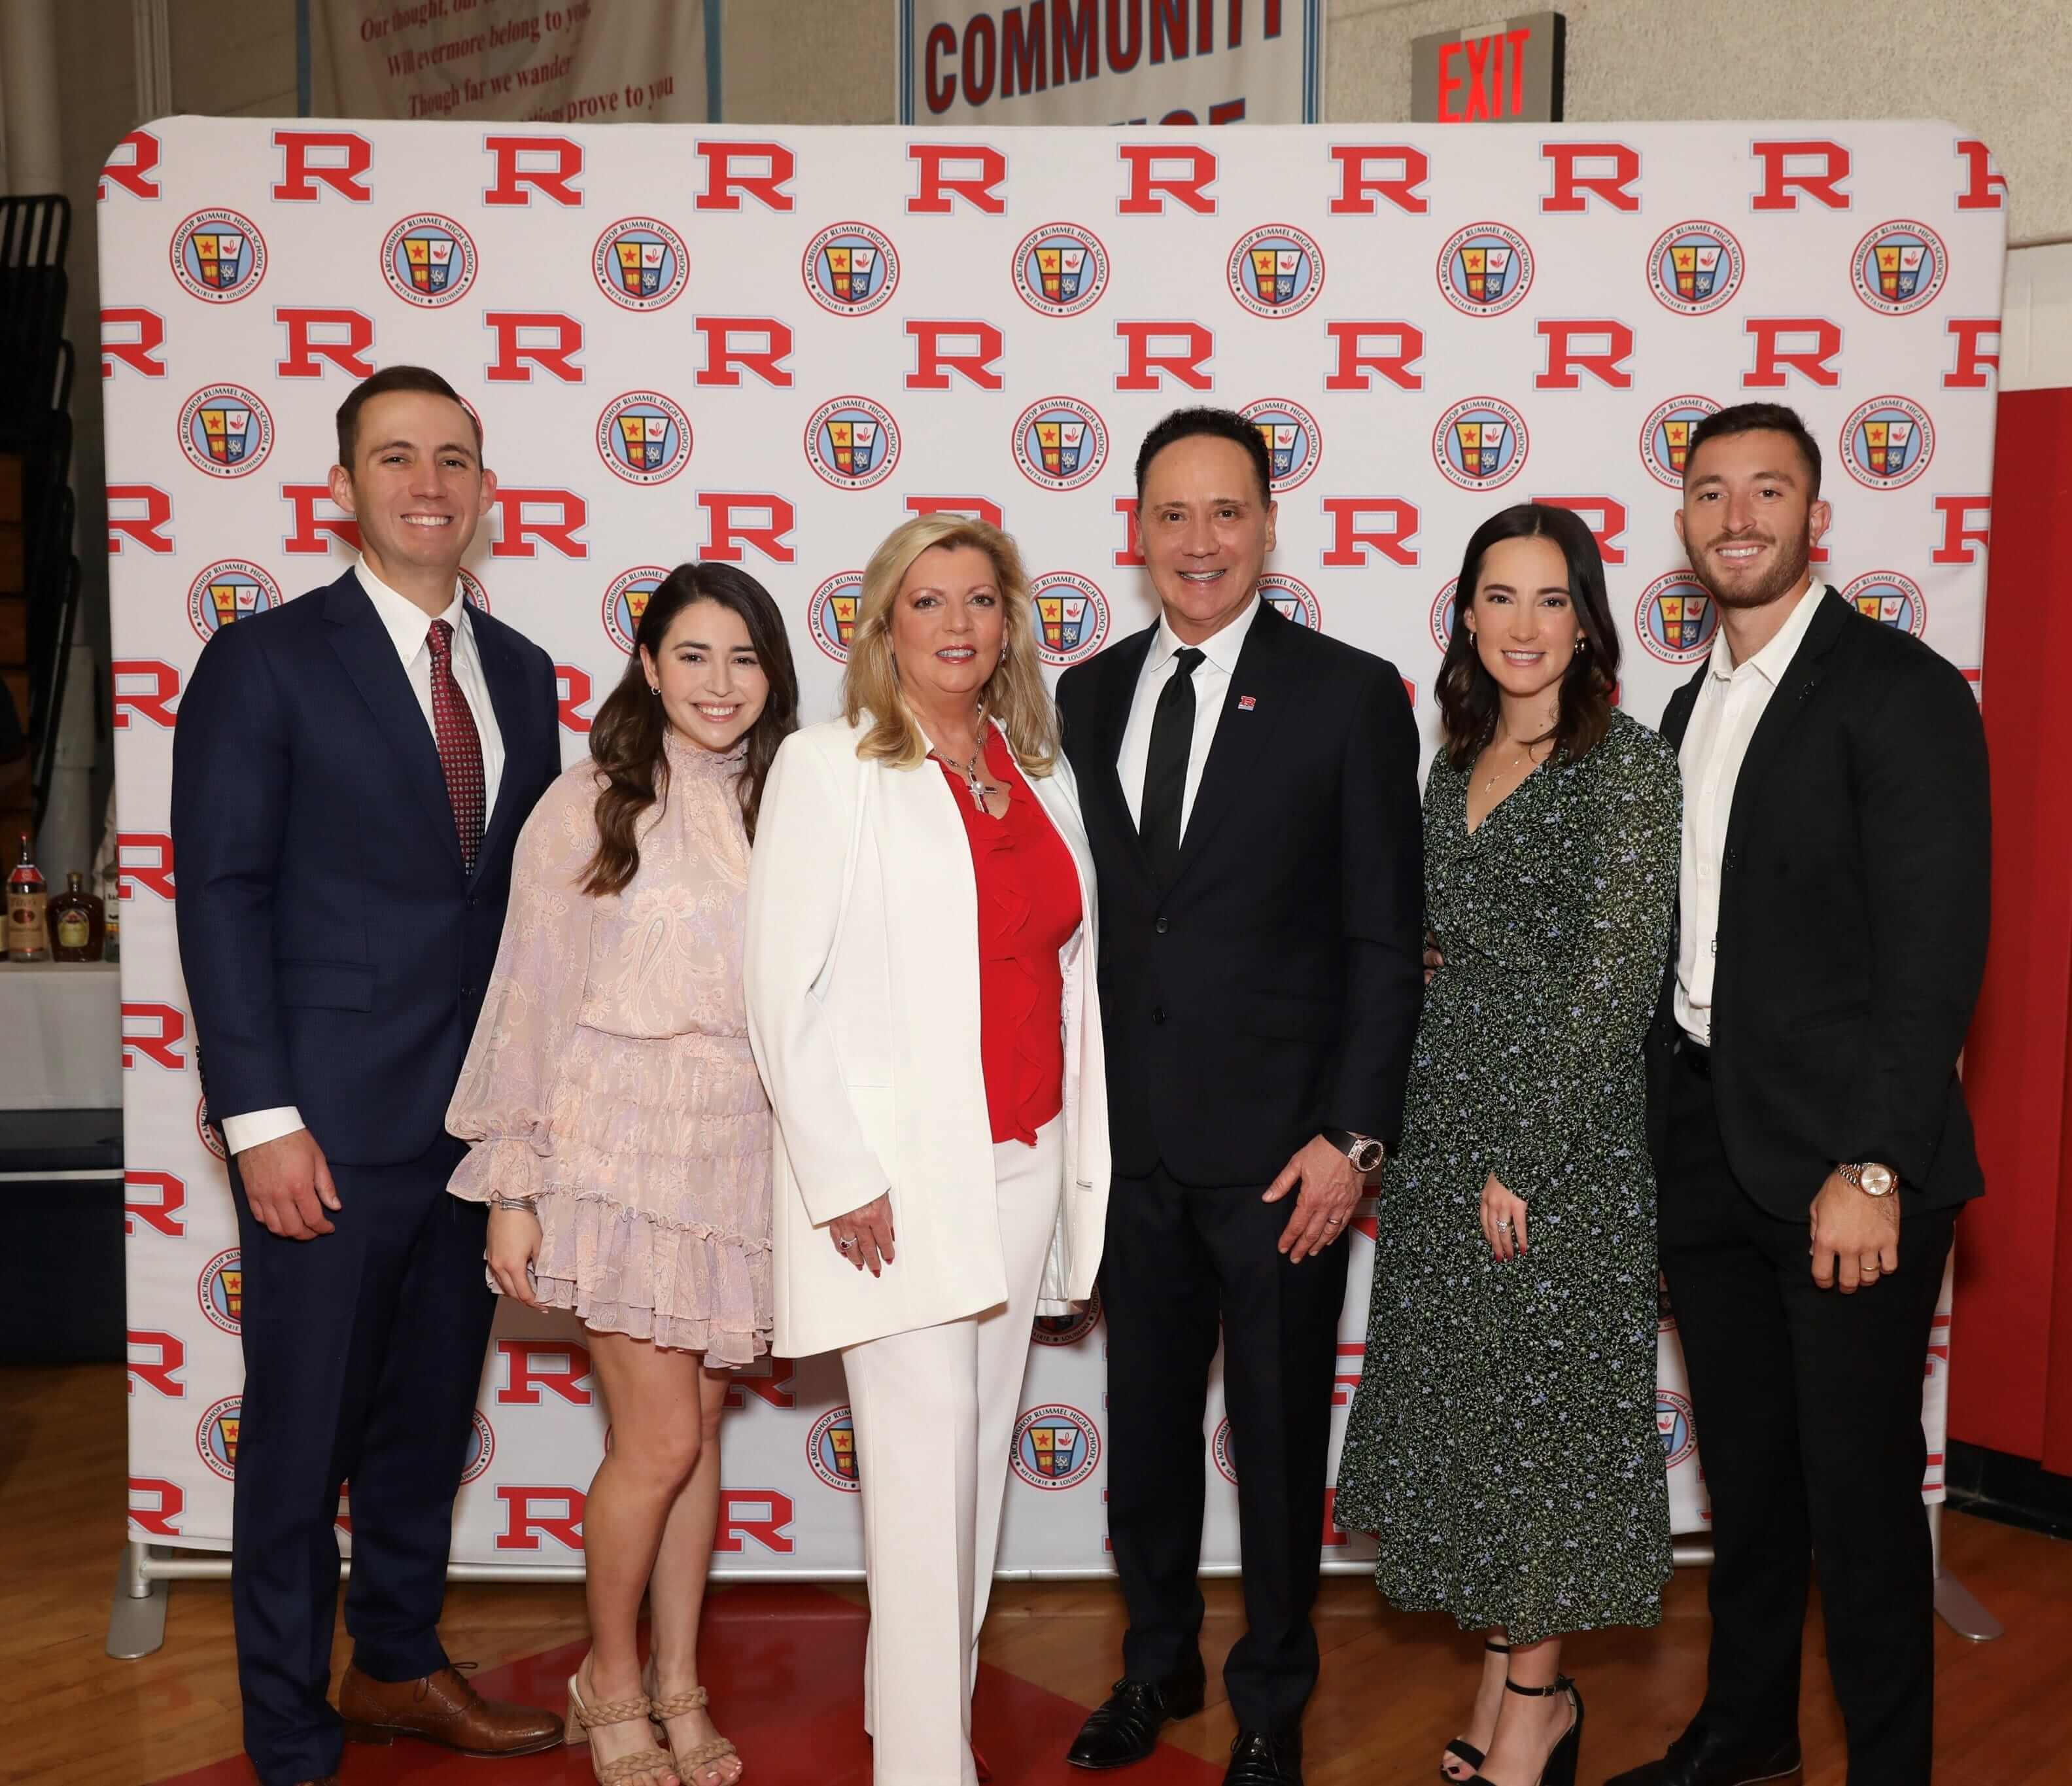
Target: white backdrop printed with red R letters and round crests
(770,347)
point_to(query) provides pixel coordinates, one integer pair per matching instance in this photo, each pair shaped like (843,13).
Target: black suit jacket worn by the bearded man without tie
(1853,915)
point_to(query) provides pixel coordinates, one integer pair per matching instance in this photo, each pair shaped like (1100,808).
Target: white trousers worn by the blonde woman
(936,1420)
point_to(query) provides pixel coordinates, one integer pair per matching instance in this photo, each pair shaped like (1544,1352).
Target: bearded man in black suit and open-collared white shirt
(1804,1089)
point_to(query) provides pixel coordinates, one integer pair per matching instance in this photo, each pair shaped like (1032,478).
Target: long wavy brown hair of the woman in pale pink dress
(627,741)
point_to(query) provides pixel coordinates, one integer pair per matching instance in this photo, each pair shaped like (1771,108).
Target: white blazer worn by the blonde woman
(863,1012)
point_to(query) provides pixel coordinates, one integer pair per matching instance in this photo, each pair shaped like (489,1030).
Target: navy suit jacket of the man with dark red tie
(335,944)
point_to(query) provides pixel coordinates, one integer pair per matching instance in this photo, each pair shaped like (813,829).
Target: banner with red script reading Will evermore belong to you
(579,61)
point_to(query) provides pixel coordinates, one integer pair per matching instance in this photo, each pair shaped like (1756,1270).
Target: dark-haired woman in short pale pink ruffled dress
(623,1136)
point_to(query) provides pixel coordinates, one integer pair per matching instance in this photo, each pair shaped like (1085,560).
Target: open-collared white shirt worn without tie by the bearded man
(1723,720)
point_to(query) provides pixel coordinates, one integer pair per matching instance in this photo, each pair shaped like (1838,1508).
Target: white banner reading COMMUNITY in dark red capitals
(1112,63)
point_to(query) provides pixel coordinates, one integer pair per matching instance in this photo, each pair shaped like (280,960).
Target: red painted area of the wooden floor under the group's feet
(786,1671)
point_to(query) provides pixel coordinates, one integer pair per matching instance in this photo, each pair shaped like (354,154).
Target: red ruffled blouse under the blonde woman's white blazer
(1029,906)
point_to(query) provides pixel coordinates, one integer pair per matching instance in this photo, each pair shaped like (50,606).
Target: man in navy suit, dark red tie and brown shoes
(349,780)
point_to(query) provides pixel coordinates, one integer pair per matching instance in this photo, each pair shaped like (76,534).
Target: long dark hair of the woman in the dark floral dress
(1468,695)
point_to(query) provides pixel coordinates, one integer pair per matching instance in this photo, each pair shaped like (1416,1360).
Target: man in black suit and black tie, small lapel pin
(1250,795)
